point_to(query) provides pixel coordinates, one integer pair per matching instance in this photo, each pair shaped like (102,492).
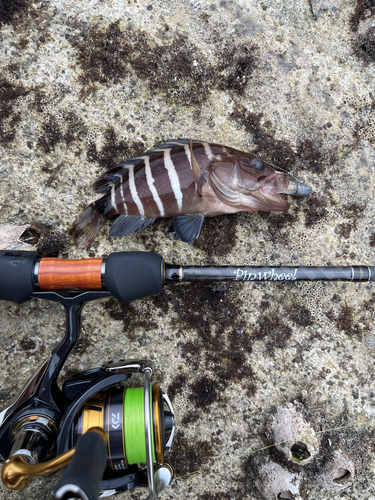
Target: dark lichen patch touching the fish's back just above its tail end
(113,151)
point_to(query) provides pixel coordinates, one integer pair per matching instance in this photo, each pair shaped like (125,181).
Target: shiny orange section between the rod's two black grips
(65,274)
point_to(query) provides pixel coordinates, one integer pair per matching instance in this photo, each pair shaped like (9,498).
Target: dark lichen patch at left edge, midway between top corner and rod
(9,120)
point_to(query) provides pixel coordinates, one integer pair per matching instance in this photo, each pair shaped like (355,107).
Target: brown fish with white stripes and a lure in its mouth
(187,180)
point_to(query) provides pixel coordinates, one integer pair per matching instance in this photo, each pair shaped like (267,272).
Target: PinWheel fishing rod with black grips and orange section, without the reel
(132,275)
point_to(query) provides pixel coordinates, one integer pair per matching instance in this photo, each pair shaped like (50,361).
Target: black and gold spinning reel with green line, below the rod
(39,430)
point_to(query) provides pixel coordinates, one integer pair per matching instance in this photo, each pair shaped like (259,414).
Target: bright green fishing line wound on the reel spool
(134,426)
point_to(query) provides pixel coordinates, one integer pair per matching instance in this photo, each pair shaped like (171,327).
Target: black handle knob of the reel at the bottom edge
(83,475)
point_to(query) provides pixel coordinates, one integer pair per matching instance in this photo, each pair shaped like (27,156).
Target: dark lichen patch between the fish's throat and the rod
(218,235)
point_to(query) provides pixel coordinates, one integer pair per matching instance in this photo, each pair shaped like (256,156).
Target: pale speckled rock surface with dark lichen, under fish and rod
(87,84)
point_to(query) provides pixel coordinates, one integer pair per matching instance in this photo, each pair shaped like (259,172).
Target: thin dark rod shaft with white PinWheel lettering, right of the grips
(269,273)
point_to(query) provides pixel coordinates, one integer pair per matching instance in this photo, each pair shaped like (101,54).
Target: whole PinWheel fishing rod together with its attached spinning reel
(45,427)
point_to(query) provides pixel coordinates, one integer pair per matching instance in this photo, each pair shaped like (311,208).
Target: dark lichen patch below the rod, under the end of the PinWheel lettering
(272,329)
